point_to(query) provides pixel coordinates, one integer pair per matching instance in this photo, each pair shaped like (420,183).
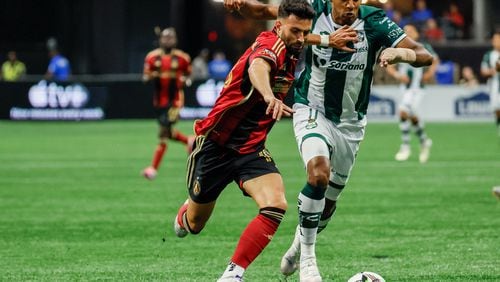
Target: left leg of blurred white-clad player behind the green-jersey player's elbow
(404,126)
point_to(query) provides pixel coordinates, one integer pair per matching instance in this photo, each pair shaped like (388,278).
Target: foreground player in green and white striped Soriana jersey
(331,100)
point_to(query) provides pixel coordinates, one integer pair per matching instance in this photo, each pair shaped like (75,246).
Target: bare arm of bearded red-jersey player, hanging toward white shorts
(259,73)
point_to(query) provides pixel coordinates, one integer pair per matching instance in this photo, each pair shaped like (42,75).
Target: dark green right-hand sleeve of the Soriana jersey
(387,32)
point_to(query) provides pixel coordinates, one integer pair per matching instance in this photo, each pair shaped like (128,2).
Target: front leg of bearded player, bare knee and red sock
(269,194)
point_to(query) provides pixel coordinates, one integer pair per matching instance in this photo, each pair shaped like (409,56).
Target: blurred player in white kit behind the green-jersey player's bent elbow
(412,81)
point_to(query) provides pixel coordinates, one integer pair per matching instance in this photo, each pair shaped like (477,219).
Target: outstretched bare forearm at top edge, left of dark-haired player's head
(252,9)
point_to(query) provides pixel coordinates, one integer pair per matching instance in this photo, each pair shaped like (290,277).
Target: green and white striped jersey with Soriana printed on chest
(338,83)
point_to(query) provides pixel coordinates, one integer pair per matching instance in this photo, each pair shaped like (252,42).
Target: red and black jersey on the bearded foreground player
(238,119)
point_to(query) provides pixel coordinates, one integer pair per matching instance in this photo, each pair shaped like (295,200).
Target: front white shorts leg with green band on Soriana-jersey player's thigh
(312,133)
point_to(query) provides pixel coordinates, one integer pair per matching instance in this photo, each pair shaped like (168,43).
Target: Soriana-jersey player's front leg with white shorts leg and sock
(311,131)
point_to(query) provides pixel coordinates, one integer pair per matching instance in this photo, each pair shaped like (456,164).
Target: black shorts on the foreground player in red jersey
(212,167)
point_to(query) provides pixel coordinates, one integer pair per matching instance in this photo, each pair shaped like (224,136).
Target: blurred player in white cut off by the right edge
(490,68)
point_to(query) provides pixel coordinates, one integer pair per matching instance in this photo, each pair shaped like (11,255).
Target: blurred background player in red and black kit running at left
(168,68)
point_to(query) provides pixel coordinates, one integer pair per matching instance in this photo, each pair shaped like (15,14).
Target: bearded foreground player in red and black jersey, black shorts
(230,142)
